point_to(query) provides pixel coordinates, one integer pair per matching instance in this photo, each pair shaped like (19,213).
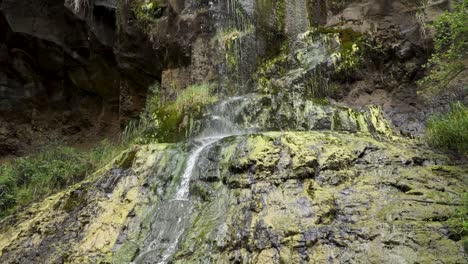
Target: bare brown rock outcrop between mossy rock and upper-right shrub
(389,79)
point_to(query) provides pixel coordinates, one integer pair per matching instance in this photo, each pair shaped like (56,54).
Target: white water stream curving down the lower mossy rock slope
(173,215)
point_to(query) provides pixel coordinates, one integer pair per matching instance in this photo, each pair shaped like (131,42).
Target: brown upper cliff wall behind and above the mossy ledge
(79,69)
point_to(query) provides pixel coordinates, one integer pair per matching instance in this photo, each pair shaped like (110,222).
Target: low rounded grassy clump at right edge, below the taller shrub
(449,131)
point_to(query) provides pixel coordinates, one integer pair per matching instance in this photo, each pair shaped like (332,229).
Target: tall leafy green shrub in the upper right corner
(451,50)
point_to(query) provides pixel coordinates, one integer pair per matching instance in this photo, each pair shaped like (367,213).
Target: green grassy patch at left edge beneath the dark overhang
(29,179)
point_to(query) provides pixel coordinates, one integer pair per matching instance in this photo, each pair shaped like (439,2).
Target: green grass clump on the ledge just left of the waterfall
(169,120)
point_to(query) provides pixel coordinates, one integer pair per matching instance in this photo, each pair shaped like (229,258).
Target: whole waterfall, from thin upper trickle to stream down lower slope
(225,119)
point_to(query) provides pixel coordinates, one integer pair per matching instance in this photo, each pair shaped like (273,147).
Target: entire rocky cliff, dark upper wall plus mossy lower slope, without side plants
(270,173)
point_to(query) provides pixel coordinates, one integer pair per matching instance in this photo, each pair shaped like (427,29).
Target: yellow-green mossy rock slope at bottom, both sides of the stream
(293,197)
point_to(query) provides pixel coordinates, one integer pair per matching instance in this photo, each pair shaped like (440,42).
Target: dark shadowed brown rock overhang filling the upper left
(77,69)
